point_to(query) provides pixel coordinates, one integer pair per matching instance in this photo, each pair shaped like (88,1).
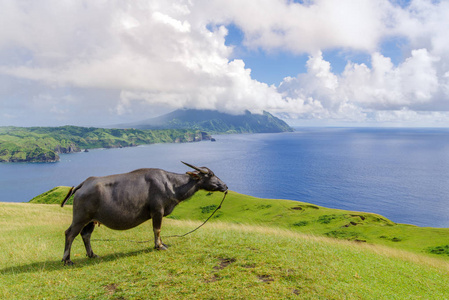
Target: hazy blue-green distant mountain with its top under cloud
(213,121)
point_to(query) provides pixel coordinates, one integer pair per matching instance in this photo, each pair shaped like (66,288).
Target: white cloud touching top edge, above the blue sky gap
(307,27)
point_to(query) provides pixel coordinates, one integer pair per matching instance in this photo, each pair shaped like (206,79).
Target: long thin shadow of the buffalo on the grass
(57,265)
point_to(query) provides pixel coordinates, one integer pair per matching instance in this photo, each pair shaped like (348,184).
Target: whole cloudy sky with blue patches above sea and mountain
(312,63)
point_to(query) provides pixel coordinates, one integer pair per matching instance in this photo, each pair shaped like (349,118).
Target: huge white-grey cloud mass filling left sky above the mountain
(150,52)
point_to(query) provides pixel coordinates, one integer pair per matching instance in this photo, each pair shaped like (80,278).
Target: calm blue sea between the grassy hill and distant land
(402,174)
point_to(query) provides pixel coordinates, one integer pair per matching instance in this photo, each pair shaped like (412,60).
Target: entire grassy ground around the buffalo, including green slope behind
(253,249)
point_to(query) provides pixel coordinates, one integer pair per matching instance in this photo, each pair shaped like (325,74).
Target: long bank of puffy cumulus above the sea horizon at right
(360,91)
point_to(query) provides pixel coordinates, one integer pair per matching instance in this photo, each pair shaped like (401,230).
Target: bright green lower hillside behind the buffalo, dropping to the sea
(303,217)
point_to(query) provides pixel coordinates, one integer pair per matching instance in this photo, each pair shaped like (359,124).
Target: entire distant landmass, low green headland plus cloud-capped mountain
(44,144)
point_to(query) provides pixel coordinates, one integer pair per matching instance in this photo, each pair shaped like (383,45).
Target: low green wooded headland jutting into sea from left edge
(44,144)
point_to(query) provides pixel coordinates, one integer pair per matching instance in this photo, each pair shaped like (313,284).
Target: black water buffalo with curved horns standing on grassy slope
(124,201)
